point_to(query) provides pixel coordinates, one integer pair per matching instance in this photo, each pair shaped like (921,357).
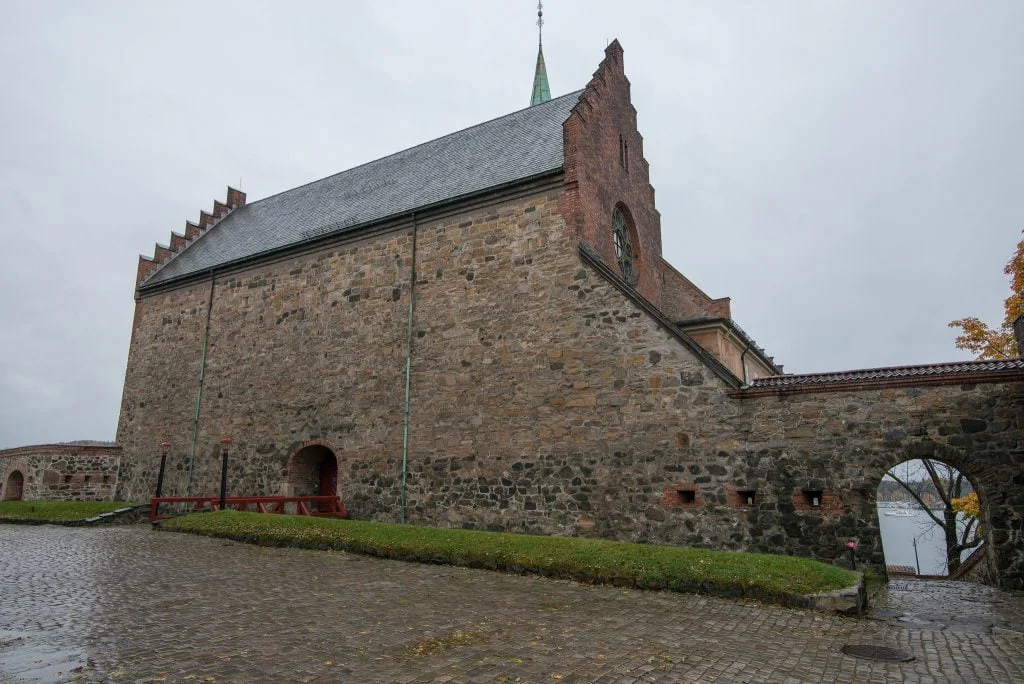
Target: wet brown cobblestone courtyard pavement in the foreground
(130,605)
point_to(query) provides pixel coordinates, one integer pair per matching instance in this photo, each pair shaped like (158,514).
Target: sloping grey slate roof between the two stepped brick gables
(510,149)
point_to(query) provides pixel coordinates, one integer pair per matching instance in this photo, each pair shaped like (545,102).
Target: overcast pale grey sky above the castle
(850,174)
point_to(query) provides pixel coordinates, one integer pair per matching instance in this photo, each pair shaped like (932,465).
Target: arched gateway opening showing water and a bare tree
(929,519)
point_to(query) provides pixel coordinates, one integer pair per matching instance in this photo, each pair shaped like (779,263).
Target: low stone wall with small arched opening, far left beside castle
(60,473)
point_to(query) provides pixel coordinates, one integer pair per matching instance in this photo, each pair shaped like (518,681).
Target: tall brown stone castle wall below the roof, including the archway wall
(544,400)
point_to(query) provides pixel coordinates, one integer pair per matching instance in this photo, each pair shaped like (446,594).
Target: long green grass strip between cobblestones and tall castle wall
(784,580)
